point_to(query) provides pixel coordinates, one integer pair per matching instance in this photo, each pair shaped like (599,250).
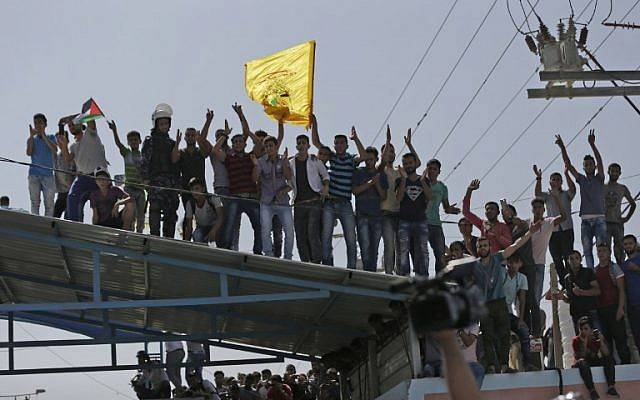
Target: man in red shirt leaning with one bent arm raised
(497,233)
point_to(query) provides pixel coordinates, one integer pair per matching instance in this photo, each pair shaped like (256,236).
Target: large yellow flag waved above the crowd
(283,83)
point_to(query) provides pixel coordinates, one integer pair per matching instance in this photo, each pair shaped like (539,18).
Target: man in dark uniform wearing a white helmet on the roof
(160,156)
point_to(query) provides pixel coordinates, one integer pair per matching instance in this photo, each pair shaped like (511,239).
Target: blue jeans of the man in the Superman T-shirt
(416,233)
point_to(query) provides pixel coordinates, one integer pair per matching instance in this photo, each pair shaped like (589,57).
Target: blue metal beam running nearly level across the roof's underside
(178,302)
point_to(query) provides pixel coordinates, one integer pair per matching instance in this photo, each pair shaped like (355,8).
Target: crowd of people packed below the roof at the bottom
(155,383)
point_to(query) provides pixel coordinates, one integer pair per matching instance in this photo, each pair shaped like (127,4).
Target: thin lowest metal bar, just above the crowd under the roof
(131,367)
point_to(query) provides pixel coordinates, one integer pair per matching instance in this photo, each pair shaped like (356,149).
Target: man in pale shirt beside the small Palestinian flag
(88,154)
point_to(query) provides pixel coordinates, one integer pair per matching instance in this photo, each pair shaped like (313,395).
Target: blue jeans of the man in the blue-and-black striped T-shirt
(339,210)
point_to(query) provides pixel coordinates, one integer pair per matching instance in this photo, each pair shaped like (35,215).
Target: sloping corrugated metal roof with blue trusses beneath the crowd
(47,264)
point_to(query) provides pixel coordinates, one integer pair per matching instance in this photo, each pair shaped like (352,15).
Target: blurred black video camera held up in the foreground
(448,301)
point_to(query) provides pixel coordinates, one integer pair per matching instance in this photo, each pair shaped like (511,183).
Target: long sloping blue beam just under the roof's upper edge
(164,260)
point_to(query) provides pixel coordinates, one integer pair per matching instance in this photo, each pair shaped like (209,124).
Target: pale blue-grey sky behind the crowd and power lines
(130,56)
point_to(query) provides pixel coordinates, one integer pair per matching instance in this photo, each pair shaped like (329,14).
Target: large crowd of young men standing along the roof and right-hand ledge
(299,198)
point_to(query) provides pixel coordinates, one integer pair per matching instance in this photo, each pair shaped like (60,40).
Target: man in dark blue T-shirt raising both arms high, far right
(592,210)
